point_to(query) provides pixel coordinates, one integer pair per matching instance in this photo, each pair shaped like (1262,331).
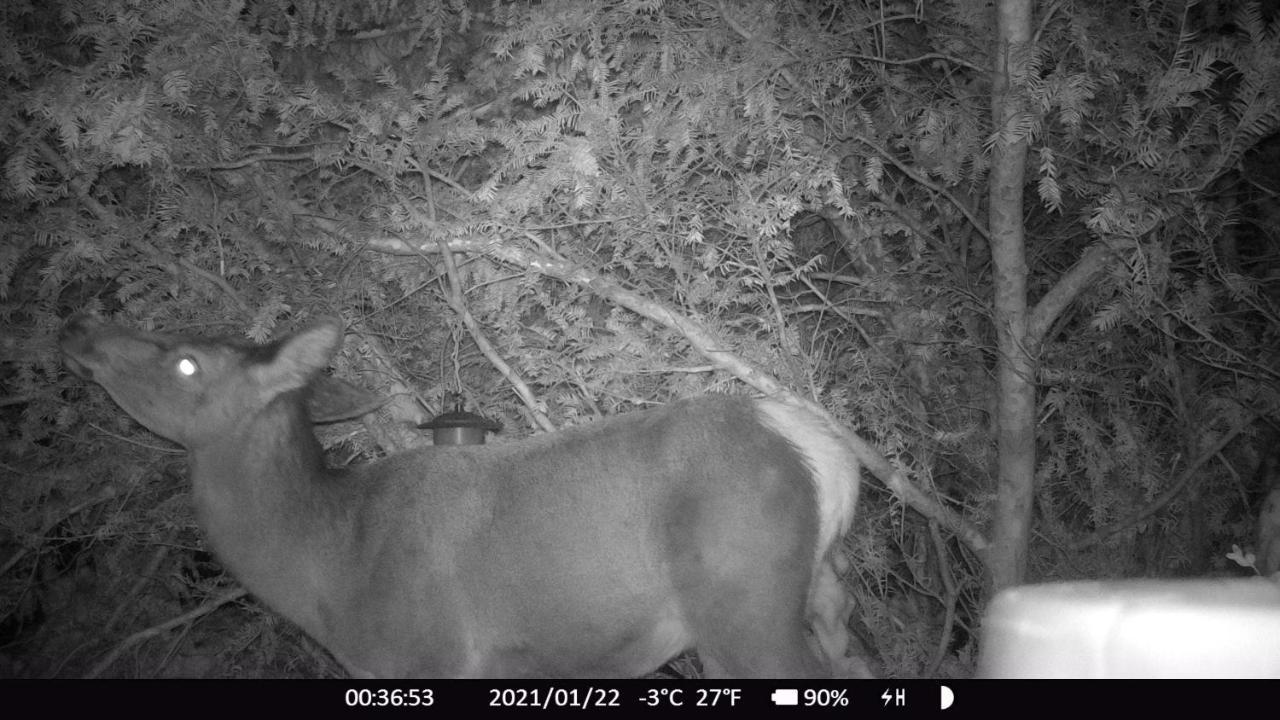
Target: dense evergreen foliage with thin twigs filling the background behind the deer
(804,180)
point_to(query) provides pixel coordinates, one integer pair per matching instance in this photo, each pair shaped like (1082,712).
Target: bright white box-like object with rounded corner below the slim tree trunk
(1227,628)
